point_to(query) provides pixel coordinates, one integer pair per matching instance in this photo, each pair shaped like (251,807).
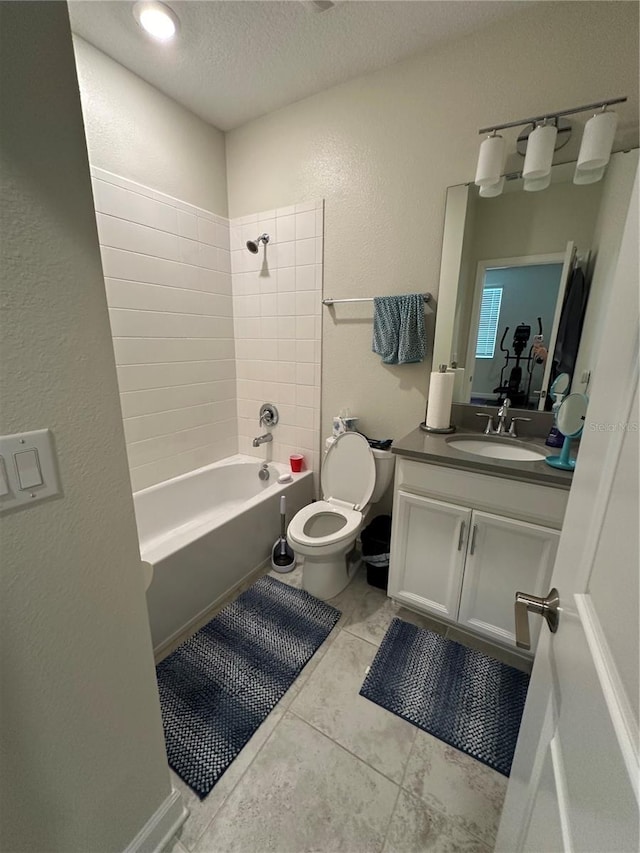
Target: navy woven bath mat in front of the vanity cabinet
(459,695)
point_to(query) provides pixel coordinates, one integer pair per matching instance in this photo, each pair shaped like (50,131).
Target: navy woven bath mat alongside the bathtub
(217,687)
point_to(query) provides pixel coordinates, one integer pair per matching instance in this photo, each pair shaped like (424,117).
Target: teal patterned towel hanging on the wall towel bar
(398,328)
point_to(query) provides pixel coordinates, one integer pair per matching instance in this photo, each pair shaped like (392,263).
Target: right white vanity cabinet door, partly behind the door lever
(504,556)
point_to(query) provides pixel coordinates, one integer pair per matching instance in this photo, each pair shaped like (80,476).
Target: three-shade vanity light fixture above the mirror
(542,141)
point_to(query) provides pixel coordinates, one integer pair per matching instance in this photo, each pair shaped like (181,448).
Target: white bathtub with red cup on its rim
(205,533)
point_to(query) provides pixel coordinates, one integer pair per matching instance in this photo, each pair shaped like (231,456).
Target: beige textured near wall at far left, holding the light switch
(83,760)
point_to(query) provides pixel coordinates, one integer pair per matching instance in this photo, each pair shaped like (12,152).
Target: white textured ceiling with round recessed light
(234,60)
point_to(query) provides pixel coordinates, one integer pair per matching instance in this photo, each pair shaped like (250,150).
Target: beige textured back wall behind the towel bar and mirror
(382,149)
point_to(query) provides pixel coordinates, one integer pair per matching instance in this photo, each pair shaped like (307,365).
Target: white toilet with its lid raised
(353,477)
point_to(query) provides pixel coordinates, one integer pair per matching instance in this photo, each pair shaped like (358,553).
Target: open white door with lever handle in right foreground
(574,780)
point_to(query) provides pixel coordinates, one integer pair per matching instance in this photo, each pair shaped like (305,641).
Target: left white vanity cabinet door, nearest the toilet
(427,554)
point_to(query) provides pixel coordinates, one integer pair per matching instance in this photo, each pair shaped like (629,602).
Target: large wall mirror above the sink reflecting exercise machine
(521,295)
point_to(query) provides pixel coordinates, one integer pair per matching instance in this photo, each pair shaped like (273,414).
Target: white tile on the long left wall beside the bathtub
(169,289)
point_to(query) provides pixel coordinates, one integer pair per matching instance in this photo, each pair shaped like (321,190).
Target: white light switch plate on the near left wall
(11,446)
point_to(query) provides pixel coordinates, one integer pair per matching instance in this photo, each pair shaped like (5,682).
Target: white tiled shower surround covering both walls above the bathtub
(191,377)
